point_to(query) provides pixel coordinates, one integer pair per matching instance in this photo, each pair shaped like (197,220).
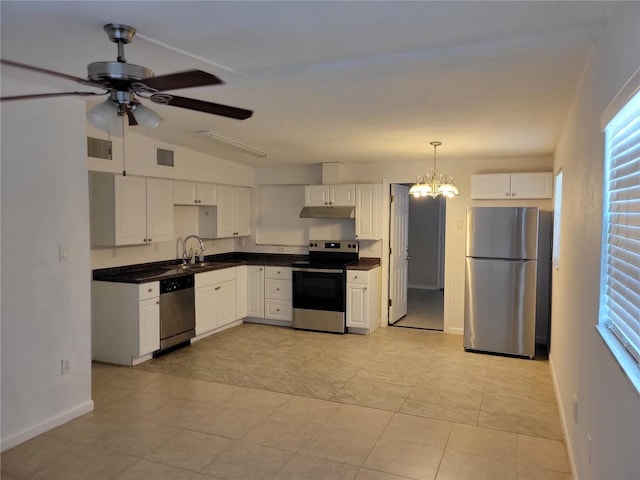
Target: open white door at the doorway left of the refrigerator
(398,239)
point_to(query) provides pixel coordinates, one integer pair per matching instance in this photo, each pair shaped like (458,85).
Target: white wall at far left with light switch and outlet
(46,310)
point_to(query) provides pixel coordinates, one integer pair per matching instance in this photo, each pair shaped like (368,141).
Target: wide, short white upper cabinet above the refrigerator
(512,186)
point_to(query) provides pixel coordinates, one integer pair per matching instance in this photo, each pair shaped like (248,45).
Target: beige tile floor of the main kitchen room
(262,402)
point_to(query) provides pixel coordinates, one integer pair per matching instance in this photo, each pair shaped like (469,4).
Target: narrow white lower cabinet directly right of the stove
(363,300)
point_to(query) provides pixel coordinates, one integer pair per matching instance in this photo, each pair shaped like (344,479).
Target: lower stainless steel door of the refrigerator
(500,306)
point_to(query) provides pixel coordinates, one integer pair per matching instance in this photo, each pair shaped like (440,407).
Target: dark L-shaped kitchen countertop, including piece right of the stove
(152,272)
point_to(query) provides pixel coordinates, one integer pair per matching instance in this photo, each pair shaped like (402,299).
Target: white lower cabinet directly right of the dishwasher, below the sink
(215,297)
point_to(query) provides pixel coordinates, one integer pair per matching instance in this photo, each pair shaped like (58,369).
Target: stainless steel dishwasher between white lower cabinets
(177,312)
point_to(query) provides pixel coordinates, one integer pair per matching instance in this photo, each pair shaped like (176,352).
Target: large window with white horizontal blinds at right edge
(620,277)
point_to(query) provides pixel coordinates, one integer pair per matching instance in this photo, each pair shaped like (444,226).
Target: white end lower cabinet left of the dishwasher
(125,321)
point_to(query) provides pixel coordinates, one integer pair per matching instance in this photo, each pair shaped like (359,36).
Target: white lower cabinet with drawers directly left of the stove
(269,295)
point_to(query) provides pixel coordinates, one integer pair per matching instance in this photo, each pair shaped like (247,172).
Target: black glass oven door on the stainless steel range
(319,289)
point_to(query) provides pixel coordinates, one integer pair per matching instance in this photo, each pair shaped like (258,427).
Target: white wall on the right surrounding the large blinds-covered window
(608,405)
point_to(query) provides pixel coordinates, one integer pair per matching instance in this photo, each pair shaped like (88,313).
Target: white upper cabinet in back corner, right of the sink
(233,216)
